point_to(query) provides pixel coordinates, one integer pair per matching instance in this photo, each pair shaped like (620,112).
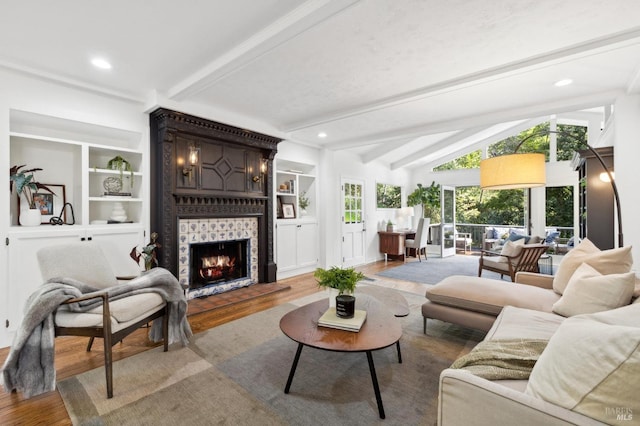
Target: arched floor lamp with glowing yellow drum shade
(518,170)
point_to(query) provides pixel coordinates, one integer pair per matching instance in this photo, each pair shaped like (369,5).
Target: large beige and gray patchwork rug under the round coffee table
(236,373)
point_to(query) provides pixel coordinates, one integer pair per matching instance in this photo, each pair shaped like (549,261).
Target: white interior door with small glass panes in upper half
(353,226)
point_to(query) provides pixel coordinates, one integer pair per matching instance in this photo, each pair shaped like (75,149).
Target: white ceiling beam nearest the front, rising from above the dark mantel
(304,17)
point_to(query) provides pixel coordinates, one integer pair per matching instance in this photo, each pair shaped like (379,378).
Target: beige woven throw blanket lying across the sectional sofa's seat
(502,359)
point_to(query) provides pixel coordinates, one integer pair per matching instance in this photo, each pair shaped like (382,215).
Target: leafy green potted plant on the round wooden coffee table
(343,280)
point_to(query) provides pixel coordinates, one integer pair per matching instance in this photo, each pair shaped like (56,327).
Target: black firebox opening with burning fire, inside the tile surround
(217,262)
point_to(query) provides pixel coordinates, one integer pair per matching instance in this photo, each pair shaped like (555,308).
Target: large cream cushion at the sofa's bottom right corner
(588,363)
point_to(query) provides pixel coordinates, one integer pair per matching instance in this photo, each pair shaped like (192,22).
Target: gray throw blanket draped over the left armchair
(29,368)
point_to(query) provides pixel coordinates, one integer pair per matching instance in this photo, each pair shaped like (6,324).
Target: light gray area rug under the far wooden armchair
(435,269)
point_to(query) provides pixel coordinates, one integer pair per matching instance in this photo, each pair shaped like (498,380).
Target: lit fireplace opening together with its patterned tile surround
(215,239)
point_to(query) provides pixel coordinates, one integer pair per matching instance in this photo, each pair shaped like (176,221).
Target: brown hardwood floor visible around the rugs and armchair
(71,357)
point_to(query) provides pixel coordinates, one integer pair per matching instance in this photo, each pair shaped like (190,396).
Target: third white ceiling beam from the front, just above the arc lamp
(479,120)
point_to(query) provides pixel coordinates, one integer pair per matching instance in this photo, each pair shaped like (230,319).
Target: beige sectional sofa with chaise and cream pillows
(588,316)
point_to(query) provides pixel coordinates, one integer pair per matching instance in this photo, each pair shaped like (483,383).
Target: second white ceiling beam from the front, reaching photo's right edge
(542,60)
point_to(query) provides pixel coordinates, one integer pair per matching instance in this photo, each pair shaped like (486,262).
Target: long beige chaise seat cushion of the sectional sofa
(489,296)
